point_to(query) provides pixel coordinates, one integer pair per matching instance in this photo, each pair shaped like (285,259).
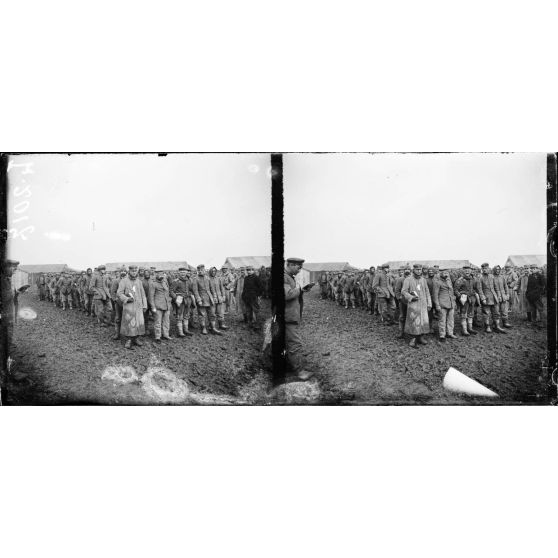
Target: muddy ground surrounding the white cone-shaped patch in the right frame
(359,360)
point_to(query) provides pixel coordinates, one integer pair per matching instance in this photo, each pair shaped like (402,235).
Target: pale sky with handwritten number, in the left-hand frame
(91,209)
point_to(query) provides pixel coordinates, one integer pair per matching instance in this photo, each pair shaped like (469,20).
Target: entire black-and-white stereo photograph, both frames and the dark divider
(399,279)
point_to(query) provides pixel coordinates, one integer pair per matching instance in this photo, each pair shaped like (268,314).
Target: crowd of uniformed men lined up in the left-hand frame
(131,296)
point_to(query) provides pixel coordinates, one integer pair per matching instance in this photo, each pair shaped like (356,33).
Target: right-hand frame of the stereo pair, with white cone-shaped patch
(421,278)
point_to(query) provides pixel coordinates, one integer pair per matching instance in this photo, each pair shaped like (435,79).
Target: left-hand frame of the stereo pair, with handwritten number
(136,279)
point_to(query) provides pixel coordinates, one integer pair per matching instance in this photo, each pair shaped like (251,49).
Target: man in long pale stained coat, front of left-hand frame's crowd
(134,302)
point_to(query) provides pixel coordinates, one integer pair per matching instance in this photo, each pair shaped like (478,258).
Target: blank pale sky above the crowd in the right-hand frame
(367,209)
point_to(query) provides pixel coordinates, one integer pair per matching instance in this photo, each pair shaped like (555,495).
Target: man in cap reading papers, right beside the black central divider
(293,340)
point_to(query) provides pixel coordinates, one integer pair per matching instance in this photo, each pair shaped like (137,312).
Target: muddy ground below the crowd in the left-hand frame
(60,357)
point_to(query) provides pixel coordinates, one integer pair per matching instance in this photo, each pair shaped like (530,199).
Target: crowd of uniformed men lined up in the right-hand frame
(413,297)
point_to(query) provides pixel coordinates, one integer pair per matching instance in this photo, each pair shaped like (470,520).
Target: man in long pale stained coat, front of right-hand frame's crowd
(415,292)
